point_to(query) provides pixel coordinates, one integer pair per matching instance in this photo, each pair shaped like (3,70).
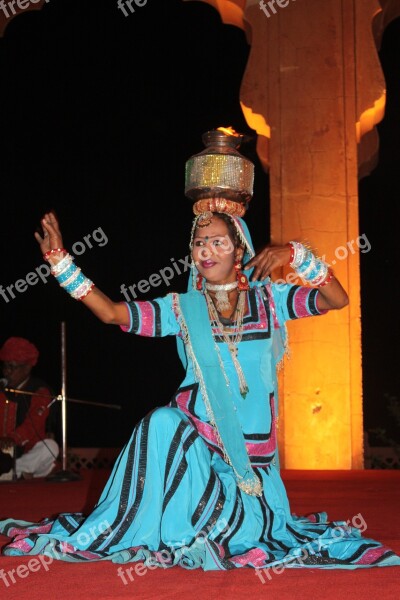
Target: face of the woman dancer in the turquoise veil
(214,253)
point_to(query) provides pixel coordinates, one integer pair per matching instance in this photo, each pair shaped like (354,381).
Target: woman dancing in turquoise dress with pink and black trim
(198,483)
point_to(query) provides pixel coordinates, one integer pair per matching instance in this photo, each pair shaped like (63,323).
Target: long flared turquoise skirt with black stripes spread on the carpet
(170,500)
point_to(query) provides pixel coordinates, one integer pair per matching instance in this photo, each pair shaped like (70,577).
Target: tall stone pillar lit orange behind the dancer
(313,87)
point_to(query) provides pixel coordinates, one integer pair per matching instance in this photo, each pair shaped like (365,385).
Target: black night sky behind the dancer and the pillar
(98,114)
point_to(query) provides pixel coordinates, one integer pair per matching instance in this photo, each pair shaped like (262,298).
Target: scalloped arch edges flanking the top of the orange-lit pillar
(371,19)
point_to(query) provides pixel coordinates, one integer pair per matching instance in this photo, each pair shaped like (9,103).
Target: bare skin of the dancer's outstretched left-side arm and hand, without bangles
(113,313)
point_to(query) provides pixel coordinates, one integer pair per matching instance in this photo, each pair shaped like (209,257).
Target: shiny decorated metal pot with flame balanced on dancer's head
(220,170)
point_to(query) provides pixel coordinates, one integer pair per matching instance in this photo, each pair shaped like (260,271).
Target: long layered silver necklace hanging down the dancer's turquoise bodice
(231,336)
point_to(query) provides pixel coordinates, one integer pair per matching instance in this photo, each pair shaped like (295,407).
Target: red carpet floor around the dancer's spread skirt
(370,497)
